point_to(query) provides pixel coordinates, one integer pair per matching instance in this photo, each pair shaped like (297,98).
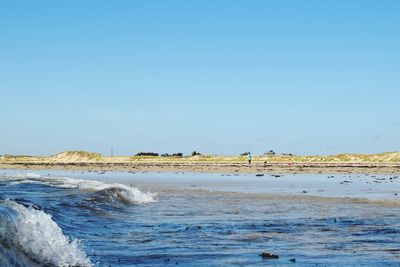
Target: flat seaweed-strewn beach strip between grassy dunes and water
(212,167)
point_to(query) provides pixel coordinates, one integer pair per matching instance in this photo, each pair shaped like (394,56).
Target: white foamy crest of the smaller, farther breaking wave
(123,192)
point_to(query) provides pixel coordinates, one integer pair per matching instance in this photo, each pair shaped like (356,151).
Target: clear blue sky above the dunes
(219,77)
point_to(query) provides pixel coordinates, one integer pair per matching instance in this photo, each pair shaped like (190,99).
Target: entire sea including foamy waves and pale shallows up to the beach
(54,218)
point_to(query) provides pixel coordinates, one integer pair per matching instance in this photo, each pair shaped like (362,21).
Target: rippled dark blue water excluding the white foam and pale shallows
(190,226)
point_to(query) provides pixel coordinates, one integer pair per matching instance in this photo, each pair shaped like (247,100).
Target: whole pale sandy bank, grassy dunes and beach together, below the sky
(384,163)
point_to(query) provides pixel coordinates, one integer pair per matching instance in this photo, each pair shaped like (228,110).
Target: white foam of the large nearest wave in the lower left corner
(38,236)
